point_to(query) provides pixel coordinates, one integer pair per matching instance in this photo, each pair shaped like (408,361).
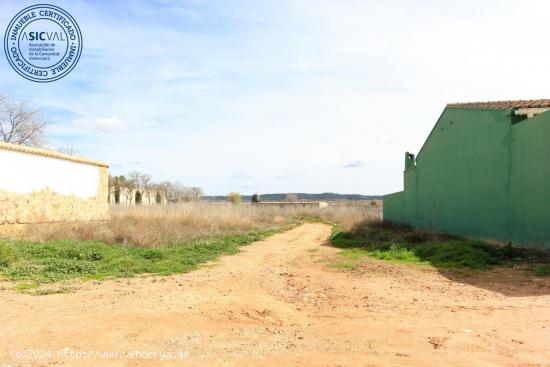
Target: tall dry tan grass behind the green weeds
(158,225)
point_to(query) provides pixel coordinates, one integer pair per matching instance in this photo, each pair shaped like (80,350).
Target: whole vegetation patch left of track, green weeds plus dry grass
(157,239)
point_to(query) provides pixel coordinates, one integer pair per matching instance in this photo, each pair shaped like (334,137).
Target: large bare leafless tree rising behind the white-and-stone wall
(21,124)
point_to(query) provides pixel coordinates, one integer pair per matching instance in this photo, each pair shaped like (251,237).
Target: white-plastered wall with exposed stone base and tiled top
(41,186)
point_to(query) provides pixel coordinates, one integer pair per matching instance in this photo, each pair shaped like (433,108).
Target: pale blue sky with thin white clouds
(280,96)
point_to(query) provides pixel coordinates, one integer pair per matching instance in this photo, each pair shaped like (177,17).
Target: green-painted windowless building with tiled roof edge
(483,172)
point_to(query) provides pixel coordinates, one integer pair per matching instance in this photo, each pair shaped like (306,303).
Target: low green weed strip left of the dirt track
(59,260)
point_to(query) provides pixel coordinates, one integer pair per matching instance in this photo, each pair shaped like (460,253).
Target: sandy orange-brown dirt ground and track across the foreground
(279,303)
